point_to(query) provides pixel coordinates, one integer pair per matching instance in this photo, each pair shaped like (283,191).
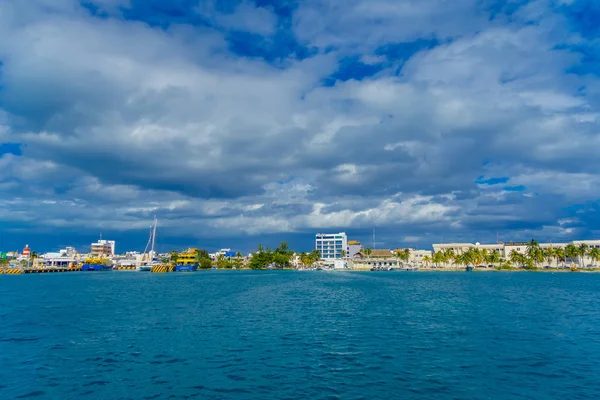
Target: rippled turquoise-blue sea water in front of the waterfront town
(300,335)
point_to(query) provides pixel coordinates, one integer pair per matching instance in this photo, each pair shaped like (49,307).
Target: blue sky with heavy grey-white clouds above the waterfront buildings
(247,122)
